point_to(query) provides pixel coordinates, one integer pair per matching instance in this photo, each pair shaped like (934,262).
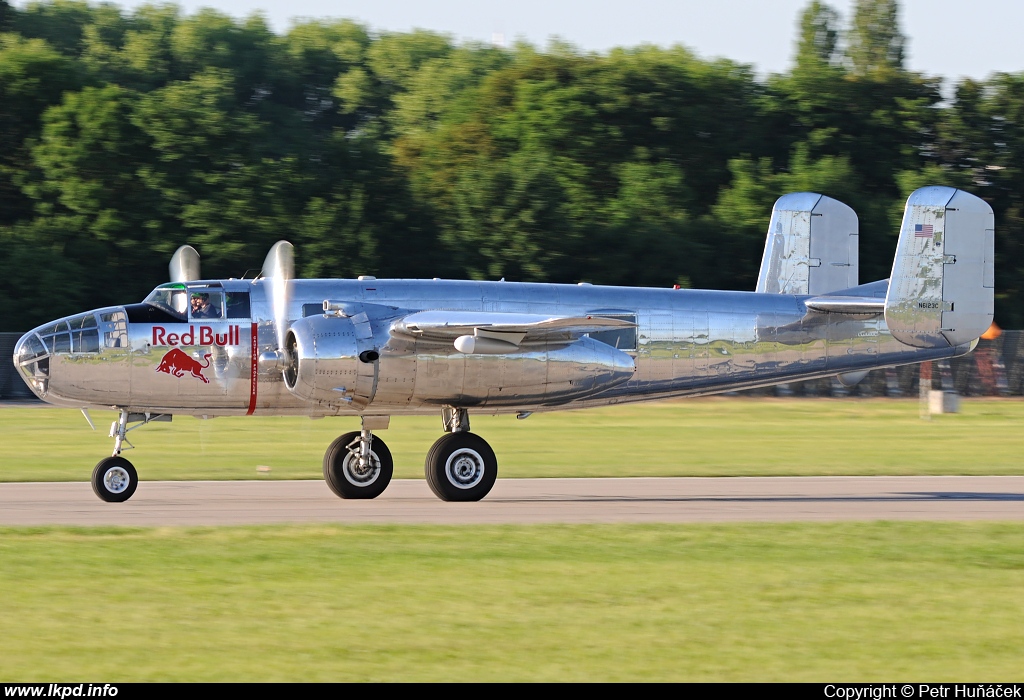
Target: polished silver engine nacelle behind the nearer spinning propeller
(337,361)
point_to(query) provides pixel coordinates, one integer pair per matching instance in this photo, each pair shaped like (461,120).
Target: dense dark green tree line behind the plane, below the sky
(125,136)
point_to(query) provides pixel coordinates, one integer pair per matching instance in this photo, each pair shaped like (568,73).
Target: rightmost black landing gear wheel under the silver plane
(461,467)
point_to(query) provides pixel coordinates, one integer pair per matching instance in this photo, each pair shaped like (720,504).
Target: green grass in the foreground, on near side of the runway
(753,602)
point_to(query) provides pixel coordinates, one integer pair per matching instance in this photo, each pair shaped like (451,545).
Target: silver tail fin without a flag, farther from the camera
(812,247)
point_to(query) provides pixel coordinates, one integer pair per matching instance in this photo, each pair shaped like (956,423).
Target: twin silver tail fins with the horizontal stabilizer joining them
(942,290)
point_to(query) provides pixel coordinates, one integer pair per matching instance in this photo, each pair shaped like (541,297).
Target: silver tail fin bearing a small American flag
(942,290)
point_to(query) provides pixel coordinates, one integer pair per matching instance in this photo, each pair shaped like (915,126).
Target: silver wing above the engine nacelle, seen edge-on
(513,329)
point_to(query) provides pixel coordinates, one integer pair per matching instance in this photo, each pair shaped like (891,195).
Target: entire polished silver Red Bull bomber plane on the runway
(375,348)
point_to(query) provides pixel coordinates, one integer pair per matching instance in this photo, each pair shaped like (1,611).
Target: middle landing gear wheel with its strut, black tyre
(359,465)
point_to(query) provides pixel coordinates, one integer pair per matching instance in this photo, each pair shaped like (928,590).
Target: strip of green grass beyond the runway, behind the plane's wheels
(701,437)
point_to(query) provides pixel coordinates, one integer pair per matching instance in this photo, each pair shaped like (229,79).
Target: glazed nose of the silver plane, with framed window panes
(52,358)
